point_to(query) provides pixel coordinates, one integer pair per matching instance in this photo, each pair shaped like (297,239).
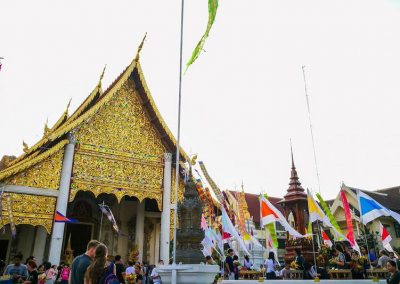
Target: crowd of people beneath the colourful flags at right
(338,258)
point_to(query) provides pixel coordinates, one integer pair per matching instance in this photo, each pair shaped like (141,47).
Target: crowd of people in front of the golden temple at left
(92,267)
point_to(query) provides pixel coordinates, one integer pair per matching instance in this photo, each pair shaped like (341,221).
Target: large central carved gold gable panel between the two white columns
(119,150)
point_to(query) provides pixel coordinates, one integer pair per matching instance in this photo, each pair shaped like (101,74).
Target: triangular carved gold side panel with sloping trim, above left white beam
(43,171)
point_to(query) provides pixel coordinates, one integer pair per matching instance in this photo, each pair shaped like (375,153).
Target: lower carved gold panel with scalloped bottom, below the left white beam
(32,210)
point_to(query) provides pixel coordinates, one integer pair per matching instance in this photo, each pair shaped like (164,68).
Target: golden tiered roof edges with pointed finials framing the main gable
(87,109)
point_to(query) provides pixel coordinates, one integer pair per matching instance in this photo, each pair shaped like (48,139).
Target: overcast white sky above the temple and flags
(242,100)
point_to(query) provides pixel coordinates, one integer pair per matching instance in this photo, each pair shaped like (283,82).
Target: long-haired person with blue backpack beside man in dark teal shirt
(101,271)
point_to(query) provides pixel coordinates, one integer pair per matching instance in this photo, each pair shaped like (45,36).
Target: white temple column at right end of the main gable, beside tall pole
(165,214)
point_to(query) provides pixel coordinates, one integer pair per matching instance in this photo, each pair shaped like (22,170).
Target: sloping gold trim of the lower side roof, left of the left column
(25,164)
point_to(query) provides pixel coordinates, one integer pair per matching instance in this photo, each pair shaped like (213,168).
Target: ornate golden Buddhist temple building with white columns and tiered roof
(116,150)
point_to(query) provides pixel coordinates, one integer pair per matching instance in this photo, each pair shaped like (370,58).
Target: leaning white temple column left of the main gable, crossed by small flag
(62,202)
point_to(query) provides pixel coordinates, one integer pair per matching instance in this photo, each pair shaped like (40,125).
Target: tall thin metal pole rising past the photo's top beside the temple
(174,276)
